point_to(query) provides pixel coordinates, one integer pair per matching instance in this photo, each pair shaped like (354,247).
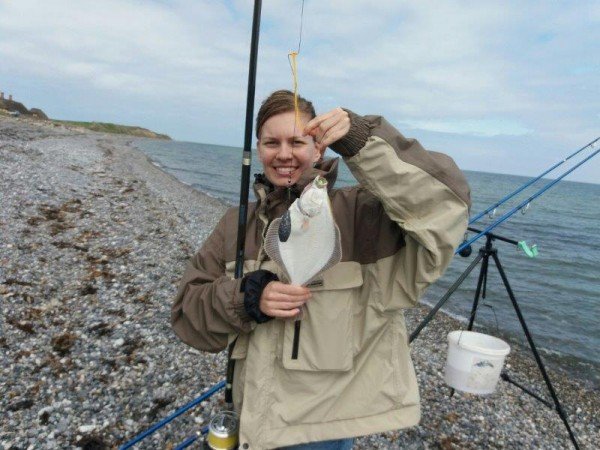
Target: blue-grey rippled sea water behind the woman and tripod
(559,291)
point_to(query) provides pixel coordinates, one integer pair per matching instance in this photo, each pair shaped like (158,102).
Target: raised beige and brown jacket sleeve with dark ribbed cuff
(423,192)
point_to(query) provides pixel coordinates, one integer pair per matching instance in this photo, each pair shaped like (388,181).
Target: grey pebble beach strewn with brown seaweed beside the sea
(94,241)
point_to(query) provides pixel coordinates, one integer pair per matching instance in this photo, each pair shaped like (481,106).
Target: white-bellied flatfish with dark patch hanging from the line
(305,241)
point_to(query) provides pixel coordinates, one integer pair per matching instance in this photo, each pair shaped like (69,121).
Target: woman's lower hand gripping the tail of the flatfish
(283,300)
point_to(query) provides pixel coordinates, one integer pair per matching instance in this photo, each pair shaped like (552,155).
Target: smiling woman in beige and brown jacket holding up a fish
(352,374)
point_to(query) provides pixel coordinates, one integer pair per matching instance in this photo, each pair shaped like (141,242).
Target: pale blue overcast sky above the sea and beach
(501,86)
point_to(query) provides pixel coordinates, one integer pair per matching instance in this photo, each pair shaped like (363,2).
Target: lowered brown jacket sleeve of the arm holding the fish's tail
(209,305)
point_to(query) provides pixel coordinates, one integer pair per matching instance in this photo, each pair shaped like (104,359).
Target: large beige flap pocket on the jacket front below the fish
(325,339)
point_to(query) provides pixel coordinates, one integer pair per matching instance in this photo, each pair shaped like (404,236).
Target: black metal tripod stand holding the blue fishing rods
(485,253)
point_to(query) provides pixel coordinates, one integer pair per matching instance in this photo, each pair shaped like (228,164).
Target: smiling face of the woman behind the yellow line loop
(282,149)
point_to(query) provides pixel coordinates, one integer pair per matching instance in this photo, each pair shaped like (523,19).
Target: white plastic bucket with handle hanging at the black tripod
(474,361)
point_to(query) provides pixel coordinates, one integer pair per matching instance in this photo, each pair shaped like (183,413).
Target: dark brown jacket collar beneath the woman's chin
(273,201)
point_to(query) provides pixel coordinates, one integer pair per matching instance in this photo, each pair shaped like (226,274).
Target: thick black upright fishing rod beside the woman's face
(245,182)
